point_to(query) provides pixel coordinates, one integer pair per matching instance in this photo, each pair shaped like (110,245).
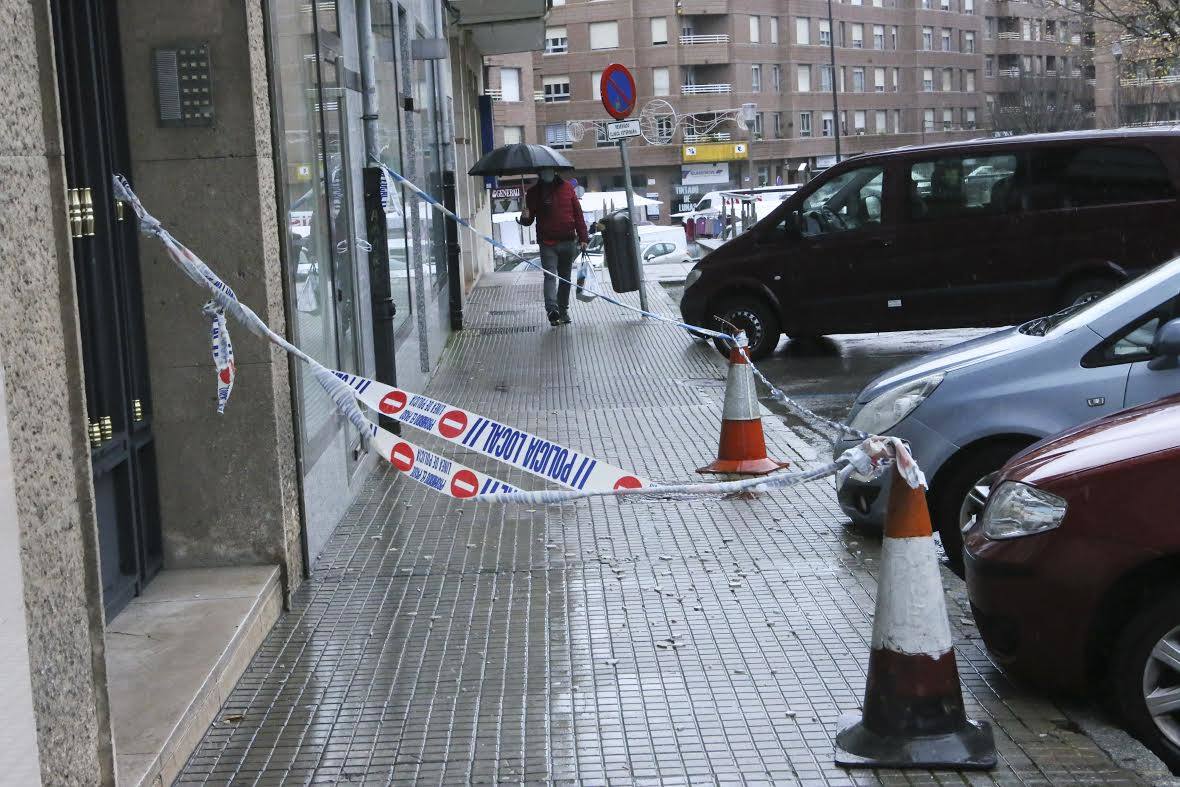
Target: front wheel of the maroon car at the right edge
(1145,678)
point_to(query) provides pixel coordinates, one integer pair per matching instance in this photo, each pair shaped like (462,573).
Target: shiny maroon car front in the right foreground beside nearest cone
(1074,567)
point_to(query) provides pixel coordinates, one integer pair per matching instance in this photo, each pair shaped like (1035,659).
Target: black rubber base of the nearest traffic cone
(971,747)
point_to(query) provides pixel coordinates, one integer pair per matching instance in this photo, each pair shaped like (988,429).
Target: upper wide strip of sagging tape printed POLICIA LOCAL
(529,452)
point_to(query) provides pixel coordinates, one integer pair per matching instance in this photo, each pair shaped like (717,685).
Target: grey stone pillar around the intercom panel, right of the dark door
(228,483)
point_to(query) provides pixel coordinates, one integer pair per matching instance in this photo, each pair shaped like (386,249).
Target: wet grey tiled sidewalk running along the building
(698,640)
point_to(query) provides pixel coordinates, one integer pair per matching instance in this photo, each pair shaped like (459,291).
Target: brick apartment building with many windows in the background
(907,71)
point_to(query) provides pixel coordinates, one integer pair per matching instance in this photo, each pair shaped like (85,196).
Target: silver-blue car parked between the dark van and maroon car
(968,409)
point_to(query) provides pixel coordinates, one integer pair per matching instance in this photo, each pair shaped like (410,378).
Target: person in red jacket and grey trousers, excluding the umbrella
(561,232)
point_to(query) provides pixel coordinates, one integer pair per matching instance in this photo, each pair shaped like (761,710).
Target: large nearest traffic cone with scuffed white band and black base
(914,714)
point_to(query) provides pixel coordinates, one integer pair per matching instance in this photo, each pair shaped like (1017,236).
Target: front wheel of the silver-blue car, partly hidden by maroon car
(959,497)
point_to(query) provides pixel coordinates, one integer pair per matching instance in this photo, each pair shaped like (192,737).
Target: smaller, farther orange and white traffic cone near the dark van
(743,450)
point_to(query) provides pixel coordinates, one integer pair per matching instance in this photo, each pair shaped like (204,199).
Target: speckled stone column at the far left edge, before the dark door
(47,419)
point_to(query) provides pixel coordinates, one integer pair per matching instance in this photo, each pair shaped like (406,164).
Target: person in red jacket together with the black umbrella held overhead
(554,205)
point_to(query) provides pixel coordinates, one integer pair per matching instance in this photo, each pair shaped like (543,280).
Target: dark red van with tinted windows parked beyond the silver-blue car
(973,234)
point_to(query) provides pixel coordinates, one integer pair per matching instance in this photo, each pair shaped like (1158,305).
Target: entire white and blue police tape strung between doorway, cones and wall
(581,475)
